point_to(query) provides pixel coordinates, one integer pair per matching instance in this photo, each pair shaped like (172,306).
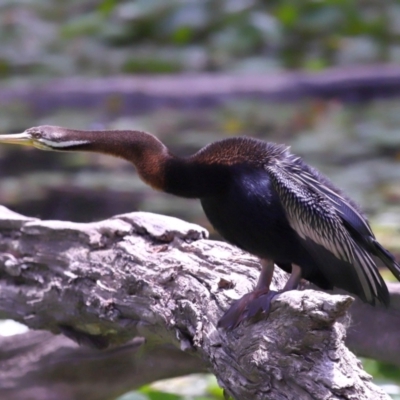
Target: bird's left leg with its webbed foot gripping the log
(243,307)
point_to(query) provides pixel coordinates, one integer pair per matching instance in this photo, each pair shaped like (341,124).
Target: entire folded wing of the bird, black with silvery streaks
(322,218)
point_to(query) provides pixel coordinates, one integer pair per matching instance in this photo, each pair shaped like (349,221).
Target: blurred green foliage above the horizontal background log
(304,34)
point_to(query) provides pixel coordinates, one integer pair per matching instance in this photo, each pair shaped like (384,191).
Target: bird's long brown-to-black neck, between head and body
(155,164)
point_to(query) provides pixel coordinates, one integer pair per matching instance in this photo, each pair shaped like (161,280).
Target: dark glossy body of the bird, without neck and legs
(237,193)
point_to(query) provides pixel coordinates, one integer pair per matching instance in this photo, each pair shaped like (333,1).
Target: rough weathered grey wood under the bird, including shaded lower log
(157,287)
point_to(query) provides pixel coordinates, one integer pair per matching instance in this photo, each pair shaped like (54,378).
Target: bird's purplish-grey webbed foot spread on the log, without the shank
(251,305)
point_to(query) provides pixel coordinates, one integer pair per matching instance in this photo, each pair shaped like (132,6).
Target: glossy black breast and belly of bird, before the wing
(249,215)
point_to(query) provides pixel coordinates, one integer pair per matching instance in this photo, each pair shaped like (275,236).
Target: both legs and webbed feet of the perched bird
(258,301)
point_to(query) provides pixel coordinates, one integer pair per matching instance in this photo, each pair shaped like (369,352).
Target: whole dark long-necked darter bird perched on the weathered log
(259,197)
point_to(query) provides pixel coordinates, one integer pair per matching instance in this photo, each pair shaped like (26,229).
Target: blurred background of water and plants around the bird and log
(112,65)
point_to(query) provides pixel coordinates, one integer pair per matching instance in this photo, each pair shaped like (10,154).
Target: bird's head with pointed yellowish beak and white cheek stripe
(46,137)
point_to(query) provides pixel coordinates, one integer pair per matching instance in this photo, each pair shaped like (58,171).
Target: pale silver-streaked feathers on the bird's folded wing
(312,215)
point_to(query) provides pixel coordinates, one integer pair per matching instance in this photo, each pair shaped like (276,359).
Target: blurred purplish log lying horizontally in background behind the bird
(135,94)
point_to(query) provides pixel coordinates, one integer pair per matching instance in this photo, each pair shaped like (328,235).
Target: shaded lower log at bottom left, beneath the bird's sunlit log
(38,365)
